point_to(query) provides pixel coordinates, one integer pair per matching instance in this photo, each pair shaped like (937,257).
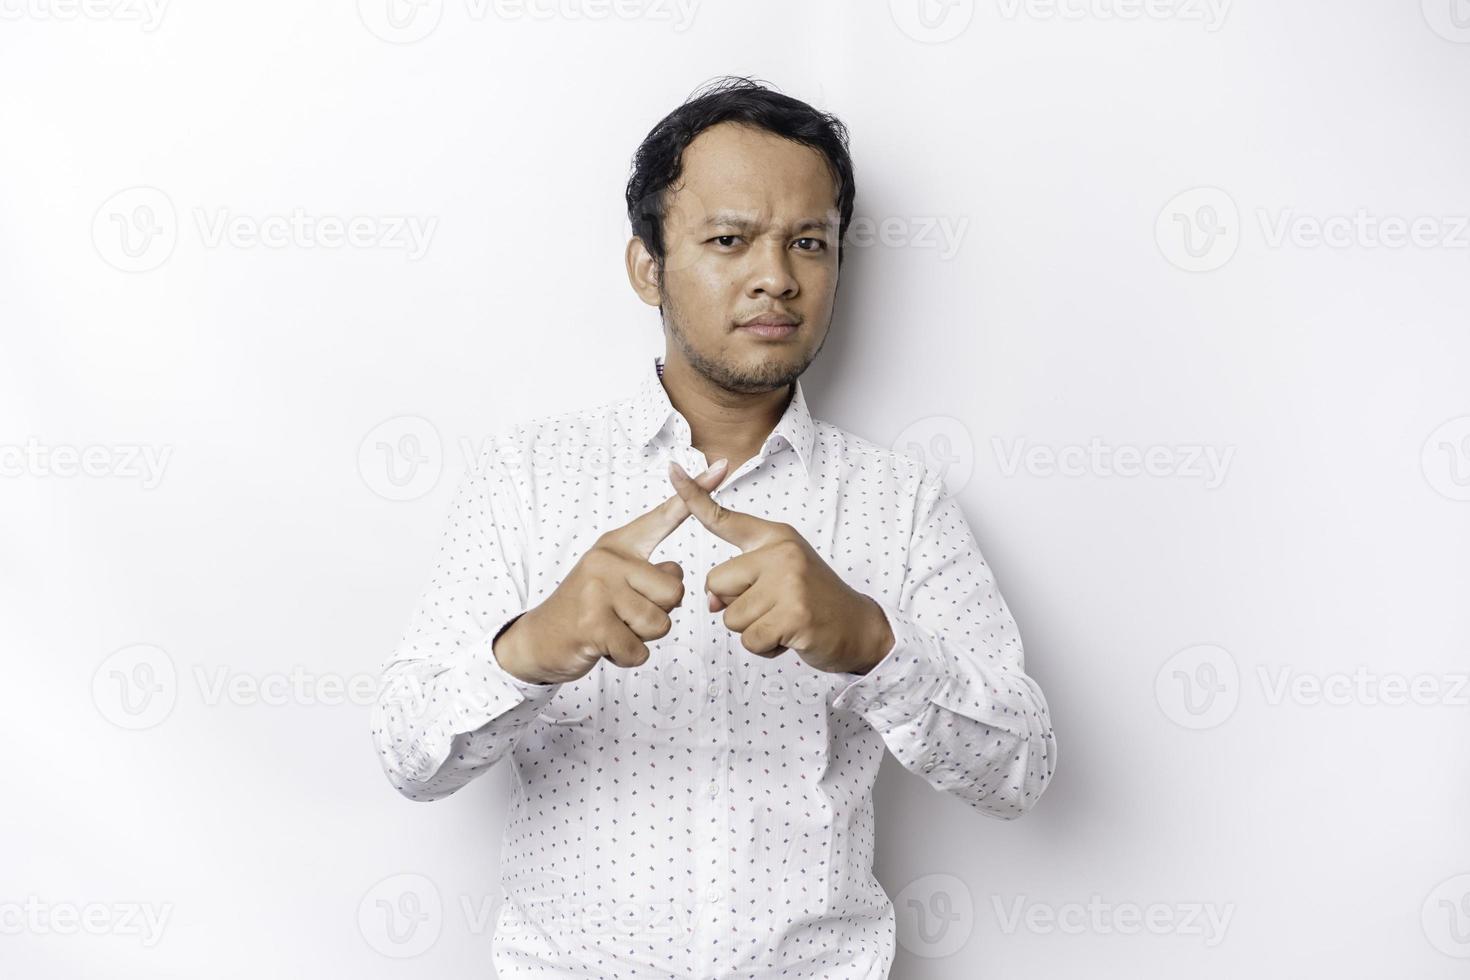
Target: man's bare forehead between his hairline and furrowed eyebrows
(733,167)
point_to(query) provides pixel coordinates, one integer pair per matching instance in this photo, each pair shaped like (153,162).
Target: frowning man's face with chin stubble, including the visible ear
(750,230)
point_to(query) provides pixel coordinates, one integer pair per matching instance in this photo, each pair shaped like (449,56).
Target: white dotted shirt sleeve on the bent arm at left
(446,709)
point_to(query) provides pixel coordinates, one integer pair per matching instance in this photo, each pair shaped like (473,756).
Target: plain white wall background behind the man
(1081,303)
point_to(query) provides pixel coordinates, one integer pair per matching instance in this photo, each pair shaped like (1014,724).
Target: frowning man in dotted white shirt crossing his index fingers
(693,779)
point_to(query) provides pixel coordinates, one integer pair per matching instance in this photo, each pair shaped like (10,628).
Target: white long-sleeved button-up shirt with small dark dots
(706,815)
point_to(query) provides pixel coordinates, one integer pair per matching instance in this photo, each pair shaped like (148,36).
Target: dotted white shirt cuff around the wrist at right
(903,684)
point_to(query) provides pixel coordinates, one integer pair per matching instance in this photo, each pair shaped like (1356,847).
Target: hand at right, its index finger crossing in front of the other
(780,594)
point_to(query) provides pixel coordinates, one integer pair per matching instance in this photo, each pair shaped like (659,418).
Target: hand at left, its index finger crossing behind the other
(609,605)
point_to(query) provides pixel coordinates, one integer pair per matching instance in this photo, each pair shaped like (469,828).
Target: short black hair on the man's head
(730,99)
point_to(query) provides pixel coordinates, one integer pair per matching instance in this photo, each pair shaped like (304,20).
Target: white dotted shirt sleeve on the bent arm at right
(952,699)
